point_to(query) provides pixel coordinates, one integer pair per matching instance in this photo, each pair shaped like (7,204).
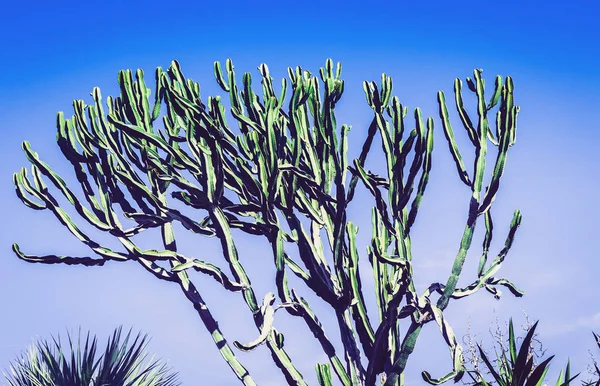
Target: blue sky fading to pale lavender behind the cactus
(53,54)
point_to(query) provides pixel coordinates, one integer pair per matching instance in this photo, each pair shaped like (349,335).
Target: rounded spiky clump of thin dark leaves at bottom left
(122,364)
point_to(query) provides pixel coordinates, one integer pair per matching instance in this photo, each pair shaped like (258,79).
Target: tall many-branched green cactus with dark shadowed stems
(287,168)
